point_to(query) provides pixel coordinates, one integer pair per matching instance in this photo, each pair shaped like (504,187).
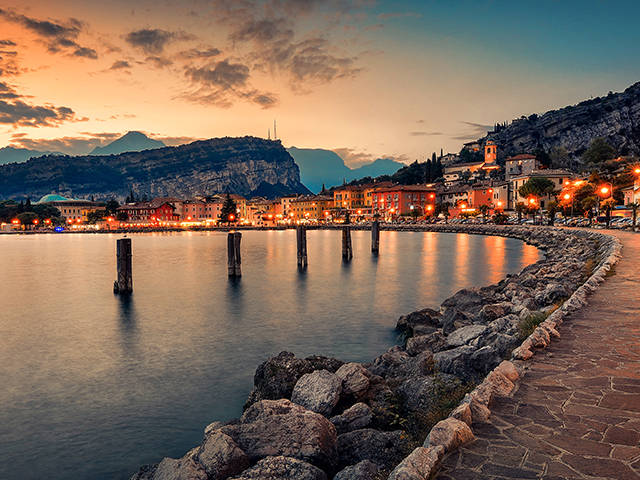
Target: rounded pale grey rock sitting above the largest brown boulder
(318,391)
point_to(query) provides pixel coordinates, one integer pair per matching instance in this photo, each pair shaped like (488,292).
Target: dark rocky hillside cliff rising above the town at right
(615,117)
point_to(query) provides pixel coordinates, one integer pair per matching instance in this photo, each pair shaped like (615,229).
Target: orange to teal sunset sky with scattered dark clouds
(367,78)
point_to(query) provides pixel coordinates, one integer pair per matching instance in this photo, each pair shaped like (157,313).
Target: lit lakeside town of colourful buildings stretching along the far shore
(526,188)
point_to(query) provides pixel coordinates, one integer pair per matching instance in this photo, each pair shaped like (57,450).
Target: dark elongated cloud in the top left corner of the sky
(57,36)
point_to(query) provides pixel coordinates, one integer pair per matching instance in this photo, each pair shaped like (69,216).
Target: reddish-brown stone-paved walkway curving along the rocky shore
(576,414)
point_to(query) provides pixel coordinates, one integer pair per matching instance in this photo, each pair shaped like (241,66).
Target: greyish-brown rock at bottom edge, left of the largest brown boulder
(221,457)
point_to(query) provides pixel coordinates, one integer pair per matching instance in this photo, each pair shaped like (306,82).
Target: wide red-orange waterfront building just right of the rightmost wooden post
(404,200)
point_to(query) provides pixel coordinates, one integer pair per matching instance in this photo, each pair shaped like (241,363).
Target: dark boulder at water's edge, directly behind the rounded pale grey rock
(276,377)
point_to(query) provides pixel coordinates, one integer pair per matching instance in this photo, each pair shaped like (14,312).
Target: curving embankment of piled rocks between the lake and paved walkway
(318,418)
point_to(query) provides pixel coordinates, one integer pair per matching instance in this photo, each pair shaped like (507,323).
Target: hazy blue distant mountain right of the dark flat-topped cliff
(318,167)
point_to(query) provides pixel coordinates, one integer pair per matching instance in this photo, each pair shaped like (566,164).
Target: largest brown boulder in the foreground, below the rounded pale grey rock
(282,428)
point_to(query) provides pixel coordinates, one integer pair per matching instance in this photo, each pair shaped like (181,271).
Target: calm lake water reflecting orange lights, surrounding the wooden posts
(92,386)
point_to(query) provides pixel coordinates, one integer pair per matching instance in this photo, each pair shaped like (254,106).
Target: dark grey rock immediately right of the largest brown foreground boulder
(386,449)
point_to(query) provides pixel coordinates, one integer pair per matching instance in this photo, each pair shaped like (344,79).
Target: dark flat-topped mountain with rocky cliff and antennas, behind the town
(239,165)
